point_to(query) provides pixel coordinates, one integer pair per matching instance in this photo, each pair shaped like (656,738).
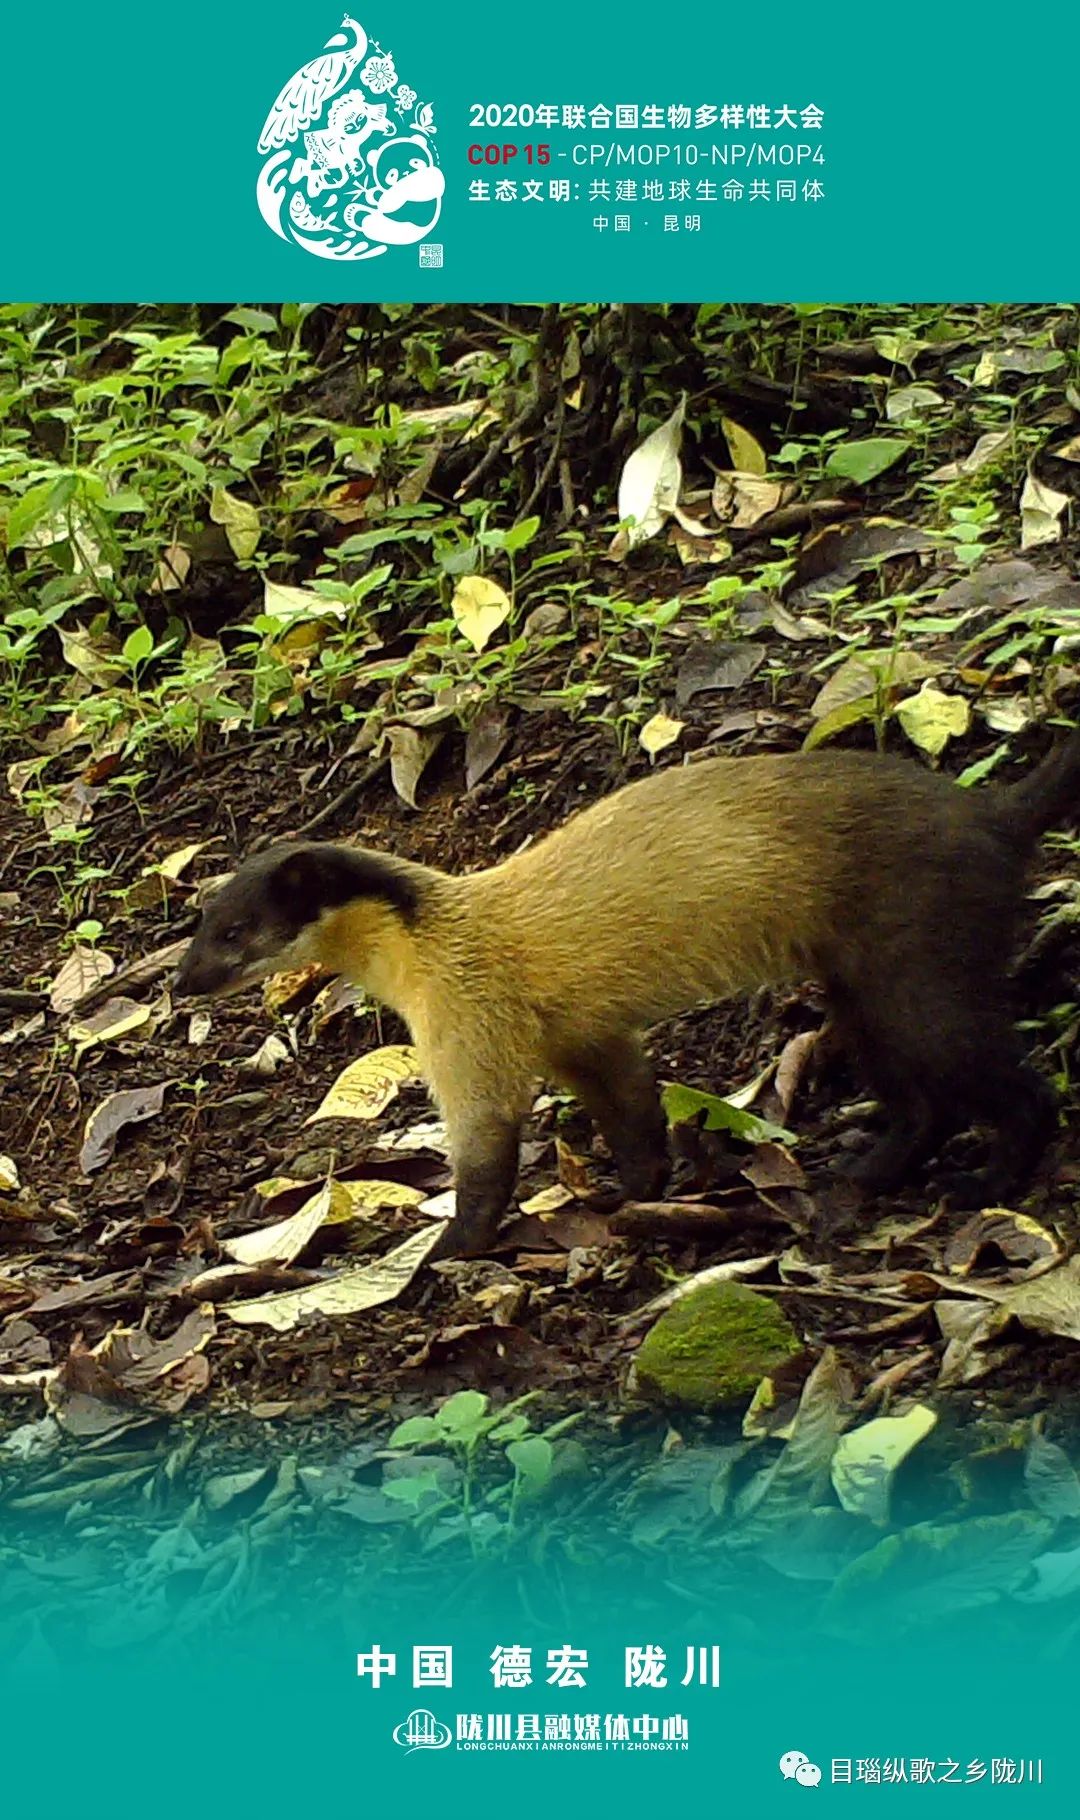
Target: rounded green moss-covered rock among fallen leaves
(713,1348)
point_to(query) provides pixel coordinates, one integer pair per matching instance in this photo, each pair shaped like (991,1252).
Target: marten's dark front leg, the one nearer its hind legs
(616,1087)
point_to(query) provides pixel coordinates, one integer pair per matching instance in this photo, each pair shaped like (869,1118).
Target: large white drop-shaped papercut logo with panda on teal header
(349,161)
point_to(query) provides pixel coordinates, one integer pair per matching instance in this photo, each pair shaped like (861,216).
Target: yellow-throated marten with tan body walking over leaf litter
(888,884)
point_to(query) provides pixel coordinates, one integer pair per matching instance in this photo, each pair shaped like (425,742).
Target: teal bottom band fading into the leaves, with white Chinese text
(280,1677)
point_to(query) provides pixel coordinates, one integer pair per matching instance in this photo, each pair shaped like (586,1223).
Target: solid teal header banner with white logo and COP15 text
(413,154)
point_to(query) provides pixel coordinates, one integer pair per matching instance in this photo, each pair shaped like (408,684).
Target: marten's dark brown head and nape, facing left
(278,913)
